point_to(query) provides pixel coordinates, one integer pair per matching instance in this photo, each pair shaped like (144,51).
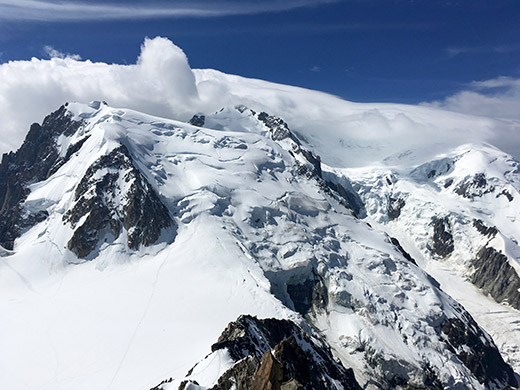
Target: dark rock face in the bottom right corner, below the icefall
(478,353)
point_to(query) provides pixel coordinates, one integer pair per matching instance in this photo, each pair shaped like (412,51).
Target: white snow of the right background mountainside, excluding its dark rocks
(429,195)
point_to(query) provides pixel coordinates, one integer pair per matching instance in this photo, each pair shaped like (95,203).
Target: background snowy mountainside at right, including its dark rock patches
(459,216)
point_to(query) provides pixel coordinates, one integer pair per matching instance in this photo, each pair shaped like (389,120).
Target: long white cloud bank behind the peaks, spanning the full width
(162,83)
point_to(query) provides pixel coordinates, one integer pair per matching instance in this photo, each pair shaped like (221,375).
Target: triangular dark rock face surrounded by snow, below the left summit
(114,194)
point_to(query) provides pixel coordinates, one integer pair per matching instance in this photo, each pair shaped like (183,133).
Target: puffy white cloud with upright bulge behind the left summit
(160,83)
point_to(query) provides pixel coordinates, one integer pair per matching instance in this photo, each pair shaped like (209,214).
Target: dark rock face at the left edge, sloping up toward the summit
(35,161)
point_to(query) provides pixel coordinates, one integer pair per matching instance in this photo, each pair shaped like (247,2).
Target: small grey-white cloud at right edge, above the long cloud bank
(496,98)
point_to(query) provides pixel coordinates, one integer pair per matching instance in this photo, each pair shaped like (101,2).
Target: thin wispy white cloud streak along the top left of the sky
(49,10)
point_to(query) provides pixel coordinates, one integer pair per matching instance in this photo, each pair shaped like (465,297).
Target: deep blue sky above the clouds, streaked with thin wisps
(363,50)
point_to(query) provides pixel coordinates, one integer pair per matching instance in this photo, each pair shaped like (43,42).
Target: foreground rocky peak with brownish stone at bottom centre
(277,354)
